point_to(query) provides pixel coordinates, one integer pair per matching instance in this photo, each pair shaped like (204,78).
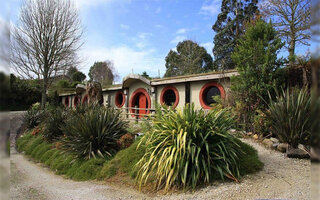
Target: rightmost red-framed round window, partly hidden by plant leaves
(208,92)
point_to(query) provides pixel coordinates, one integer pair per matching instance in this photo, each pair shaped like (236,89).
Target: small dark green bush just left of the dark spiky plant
(52,123)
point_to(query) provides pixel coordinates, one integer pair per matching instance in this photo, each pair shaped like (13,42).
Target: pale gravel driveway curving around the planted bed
(281,178)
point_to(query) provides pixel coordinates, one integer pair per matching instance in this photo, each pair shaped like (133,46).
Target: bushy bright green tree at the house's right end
(255,58)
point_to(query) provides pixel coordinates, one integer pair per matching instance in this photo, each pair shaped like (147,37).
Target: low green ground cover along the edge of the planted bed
(123,162)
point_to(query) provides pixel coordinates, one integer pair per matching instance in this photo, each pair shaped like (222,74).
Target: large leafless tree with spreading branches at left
(45,42)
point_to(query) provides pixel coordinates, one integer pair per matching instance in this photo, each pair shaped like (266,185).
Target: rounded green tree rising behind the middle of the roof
(190,58)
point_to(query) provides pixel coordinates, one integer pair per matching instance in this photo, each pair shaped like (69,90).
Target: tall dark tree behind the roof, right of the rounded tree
(229,26)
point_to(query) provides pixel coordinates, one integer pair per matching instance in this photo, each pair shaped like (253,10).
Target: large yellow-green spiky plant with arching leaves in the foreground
(189,147)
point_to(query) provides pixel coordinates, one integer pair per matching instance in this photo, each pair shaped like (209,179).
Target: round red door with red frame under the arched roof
(140,99)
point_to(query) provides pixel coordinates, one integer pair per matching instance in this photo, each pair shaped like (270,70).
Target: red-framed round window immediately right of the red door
(169,96)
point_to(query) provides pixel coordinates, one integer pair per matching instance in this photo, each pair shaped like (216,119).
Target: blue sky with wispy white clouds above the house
(138,34)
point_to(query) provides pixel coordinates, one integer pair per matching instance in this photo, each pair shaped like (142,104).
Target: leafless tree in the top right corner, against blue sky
(292,18)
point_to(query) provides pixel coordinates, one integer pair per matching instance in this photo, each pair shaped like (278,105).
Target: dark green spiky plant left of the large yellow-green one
(94,132)
